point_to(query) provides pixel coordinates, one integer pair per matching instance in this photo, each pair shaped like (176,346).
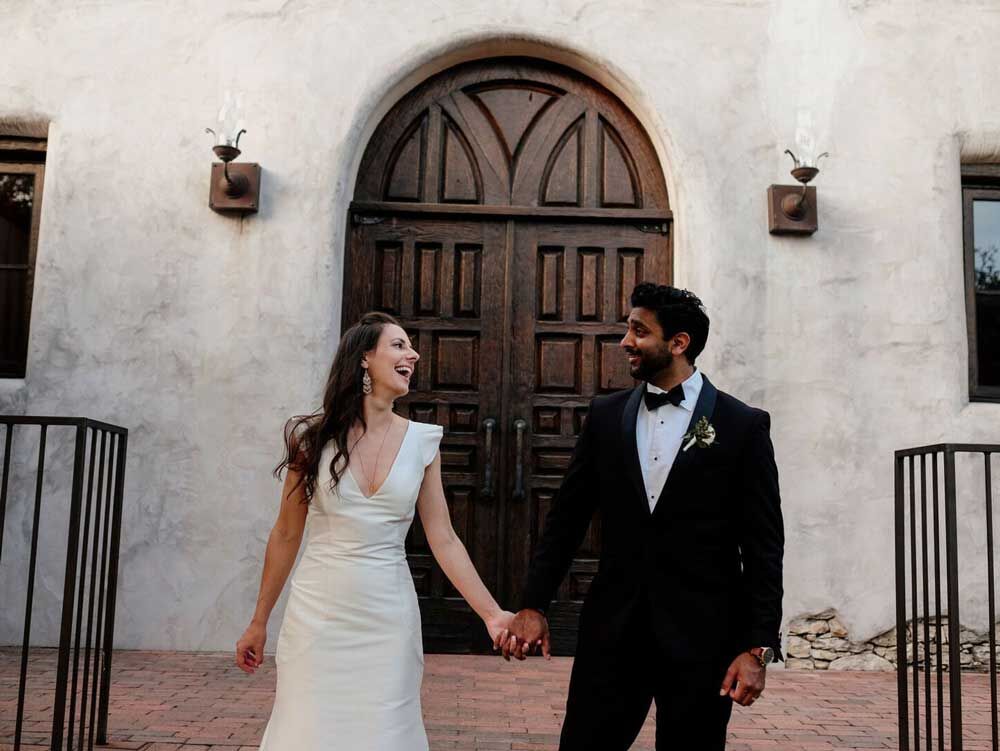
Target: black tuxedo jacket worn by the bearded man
(705,566)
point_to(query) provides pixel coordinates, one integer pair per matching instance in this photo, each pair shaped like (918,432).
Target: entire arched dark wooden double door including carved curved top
(504,210)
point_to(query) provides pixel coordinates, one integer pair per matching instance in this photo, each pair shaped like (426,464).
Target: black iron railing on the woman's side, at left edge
(98,479)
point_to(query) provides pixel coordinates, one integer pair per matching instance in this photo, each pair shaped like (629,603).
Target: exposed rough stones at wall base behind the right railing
(820,642)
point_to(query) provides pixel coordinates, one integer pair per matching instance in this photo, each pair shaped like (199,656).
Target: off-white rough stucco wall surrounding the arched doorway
(202,333)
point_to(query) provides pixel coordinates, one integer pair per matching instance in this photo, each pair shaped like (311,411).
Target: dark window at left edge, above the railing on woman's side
(22,170)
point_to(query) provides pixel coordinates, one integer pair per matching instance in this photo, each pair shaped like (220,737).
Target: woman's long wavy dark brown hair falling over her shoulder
(307,435)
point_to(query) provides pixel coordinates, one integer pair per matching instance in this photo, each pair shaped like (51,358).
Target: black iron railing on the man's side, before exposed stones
(912,535)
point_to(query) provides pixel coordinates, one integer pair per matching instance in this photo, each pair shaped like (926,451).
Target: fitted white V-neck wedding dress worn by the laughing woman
(349,655)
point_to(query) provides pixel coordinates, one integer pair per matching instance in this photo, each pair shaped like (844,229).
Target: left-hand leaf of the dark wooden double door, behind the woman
(444,281)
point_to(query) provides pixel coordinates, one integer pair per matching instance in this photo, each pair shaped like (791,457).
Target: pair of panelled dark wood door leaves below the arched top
(568,287)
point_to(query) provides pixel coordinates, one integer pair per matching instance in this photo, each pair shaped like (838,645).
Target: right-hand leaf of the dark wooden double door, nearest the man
(571,287)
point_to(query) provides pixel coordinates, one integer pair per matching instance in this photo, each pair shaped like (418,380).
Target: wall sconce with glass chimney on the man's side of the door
(792,210)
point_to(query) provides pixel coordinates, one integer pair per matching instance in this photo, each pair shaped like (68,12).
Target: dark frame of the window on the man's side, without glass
(979,182)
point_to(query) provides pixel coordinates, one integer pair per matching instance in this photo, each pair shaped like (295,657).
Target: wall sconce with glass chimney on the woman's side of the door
(234,188)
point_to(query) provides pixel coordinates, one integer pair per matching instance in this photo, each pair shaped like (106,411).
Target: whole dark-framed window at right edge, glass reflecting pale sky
(981,212)
